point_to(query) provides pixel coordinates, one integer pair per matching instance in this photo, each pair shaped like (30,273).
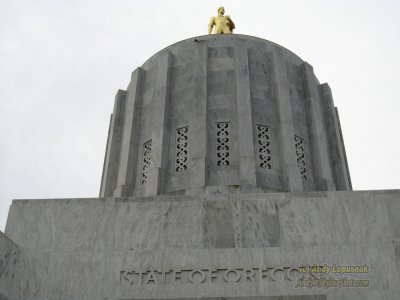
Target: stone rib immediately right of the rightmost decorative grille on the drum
(319,144)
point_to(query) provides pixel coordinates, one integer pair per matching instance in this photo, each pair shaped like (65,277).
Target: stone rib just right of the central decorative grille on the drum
(247,167)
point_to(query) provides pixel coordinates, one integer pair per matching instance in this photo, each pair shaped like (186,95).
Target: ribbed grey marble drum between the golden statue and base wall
(236,79)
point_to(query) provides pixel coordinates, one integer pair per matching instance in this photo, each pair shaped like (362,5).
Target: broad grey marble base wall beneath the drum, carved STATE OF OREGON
(86,248)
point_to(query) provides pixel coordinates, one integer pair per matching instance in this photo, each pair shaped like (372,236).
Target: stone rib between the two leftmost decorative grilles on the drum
(160,127)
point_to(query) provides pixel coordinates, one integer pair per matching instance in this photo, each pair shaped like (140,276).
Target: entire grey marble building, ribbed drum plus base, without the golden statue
(225,177)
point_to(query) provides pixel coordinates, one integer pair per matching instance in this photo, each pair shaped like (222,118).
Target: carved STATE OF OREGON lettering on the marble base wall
(199,276)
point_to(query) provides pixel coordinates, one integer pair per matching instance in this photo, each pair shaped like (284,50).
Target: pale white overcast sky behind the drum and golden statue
(61,63)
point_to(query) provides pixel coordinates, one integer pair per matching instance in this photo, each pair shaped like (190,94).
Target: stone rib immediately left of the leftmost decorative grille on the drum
(129,147)
